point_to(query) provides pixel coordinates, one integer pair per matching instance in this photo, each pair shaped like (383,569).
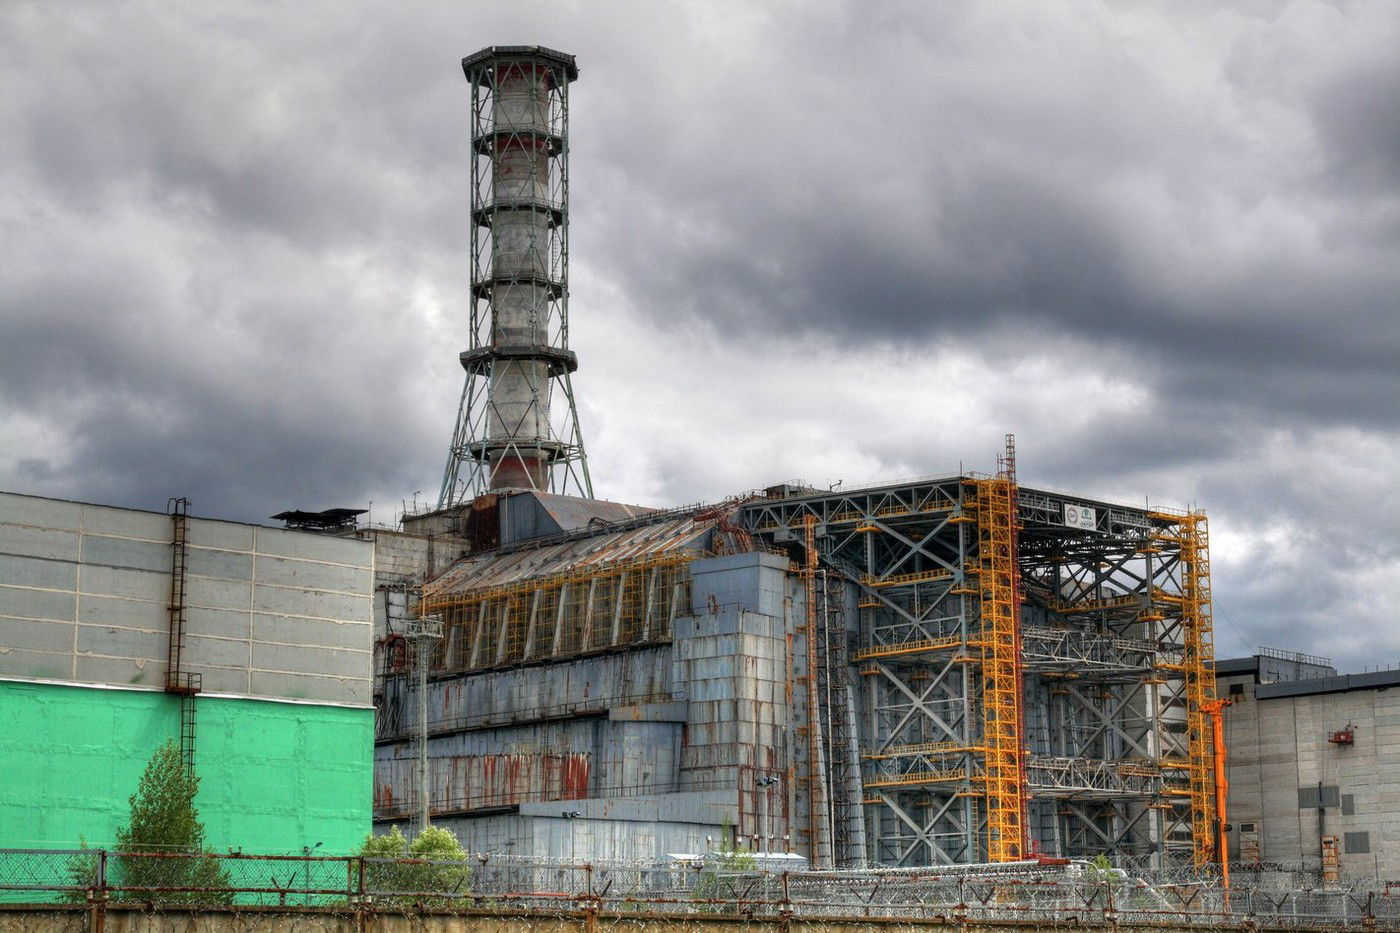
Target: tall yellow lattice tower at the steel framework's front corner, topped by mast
(1006,787)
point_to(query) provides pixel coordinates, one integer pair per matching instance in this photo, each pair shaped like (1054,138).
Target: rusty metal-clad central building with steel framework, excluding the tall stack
(614,682)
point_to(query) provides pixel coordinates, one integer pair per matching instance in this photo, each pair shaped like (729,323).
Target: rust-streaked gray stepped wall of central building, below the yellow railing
(666,728)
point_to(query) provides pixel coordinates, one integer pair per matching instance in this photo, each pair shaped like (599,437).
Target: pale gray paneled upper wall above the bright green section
(85,595)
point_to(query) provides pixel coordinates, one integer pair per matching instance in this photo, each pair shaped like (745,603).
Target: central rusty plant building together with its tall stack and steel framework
(950,670)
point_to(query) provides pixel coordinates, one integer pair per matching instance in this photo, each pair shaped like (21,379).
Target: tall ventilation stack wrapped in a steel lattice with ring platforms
(519,355)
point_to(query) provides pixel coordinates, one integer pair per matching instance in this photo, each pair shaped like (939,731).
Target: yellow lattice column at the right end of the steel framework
(1200,683)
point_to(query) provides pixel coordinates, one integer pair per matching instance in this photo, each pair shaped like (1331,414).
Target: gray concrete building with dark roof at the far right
(1314,756)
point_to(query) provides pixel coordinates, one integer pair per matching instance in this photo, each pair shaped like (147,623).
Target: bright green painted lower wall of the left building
(274,777)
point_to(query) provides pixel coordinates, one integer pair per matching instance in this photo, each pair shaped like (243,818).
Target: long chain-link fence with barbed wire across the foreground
(717,885)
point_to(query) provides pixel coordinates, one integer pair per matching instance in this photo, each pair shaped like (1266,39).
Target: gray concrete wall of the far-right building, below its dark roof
(1279,747)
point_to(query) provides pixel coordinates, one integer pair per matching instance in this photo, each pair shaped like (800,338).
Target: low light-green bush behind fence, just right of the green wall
(390,872)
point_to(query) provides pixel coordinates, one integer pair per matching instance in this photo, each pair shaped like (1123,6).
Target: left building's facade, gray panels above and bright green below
(251,647)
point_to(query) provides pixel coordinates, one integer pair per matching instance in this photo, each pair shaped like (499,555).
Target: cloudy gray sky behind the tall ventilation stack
(834,242)
